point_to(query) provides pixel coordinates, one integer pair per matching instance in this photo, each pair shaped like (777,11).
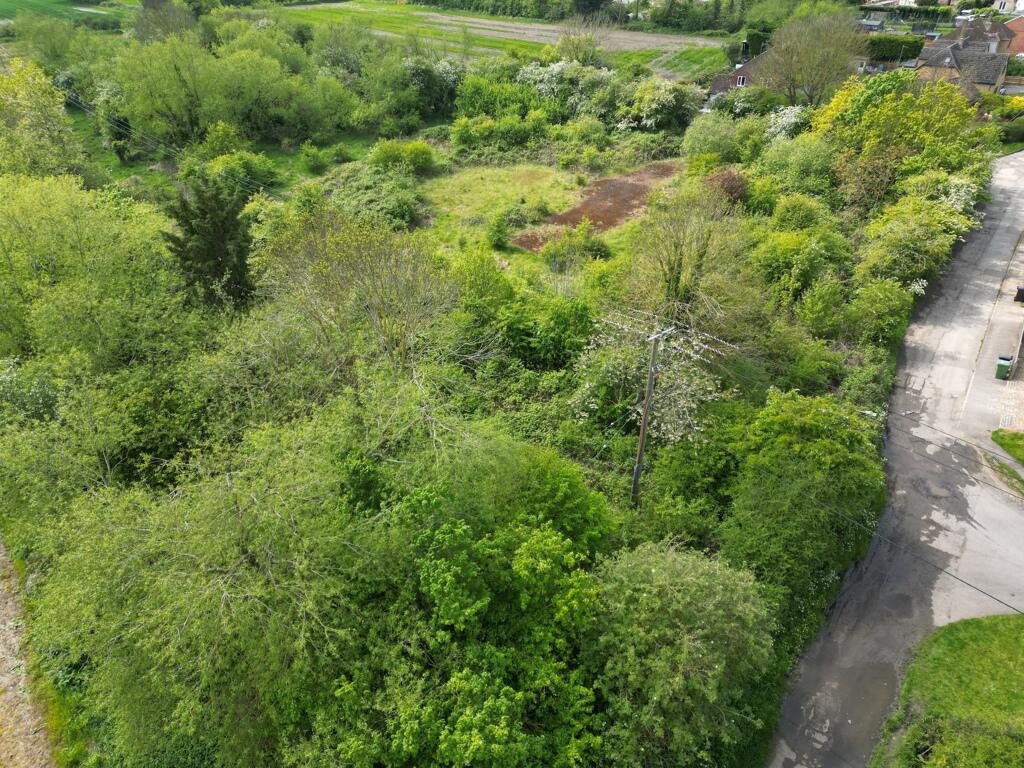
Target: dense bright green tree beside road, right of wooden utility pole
(805,502)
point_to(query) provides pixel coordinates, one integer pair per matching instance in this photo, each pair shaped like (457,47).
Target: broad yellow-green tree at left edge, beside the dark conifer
(84,274)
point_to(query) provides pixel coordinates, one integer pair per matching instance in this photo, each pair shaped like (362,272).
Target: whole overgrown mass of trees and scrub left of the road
(333,474)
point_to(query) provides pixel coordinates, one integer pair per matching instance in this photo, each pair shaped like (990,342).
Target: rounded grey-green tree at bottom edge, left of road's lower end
(678,644)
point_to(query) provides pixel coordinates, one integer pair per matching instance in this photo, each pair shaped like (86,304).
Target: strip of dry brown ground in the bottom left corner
(23,738)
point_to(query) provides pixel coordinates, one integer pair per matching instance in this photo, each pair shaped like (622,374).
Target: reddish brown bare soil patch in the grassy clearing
(607,203)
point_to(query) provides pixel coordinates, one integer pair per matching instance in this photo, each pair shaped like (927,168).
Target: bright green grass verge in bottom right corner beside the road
(963,701)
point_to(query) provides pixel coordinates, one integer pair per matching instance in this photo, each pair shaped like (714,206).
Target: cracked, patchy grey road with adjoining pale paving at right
(948,508)
